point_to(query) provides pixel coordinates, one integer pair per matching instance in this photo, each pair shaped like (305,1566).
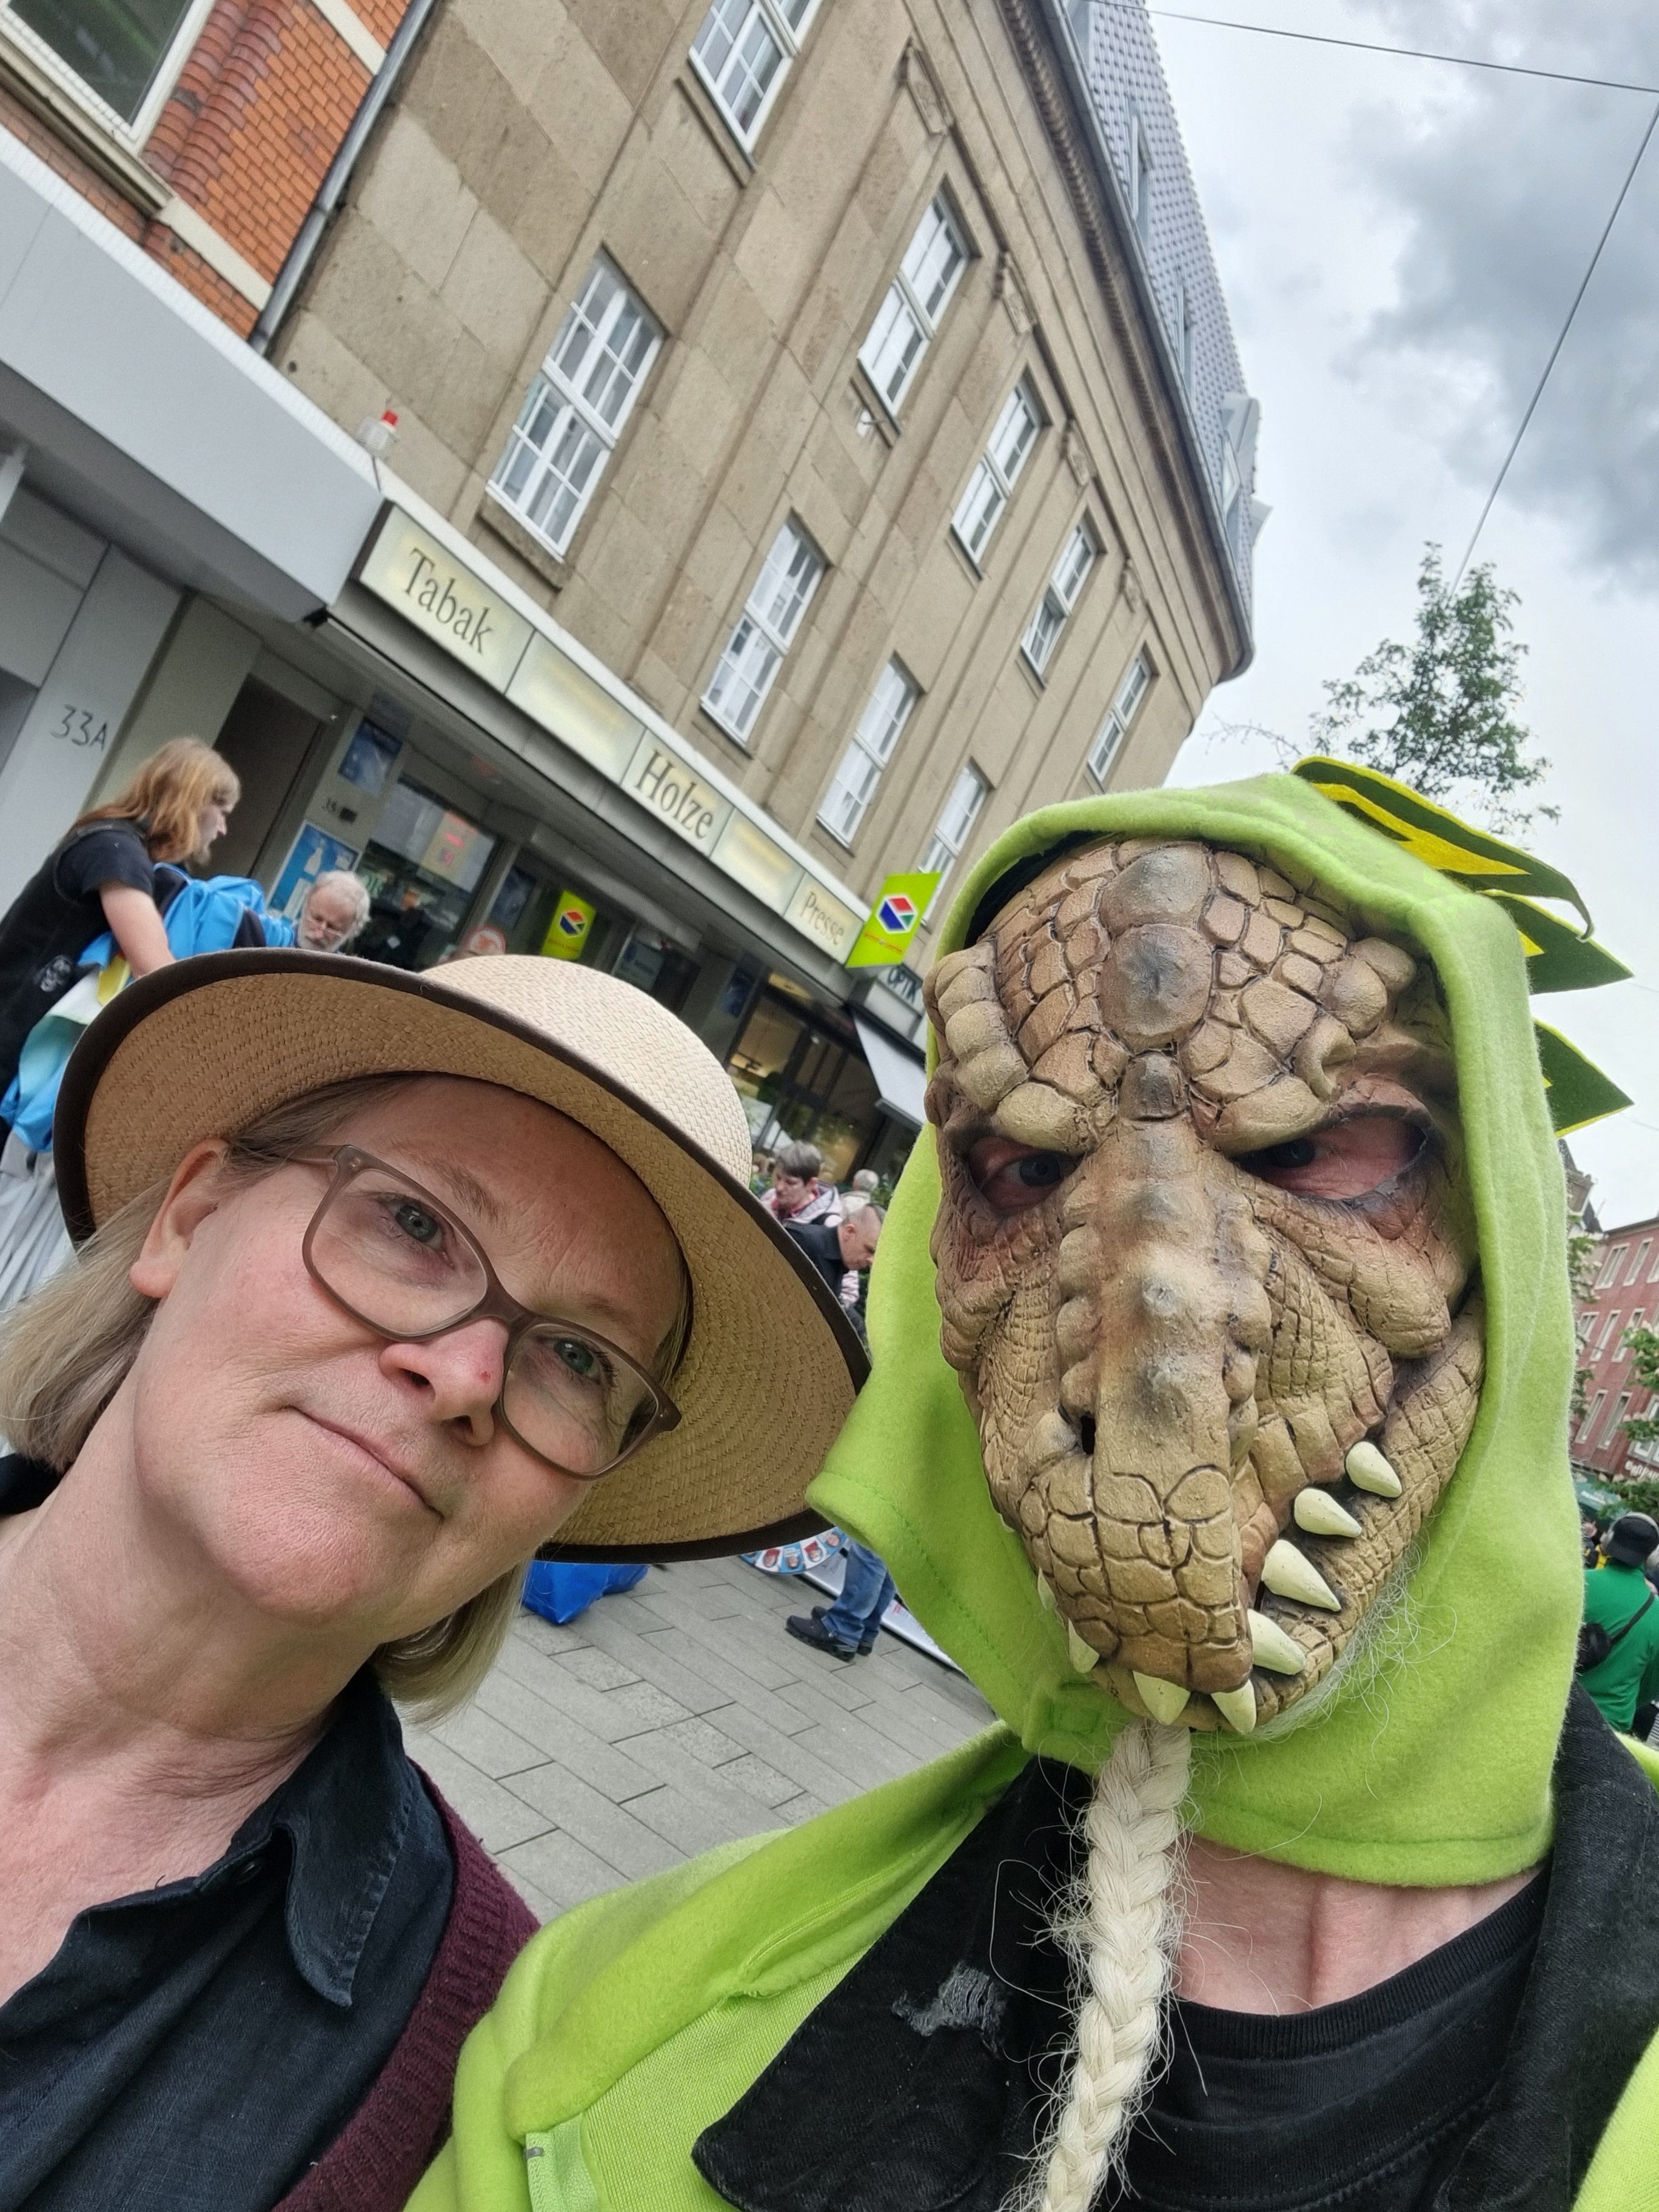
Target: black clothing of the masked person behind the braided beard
(1479,2078)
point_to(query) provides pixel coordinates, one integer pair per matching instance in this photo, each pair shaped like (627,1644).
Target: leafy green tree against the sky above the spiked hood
(1439,713)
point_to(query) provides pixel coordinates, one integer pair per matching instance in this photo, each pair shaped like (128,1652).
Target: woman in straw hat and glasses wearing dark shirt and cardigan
(384,1282)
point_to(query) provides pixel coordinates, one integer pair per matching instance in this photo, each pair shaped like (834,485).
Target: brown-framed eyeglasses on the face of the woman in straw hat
(397,1260)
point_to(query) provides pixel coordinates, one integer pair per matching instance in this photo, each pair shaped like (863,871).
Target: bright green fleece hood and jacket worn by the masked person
(638,2021)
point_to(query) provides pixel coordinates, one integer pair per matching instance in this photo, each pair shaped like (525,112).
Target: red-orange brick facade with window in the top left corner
(202,129)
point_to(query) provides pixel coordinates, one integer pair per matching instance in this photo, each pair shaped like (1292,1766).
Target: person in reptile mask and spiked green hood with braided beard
(1218,1428)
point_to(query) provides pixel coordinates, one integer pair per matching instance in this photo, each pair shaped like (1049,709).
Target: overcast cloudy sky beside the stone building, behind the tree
(1399,244)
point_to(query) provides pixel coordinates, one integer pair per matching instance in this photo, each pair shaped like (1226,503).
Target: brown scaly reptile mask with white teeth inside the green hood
(1204,1264)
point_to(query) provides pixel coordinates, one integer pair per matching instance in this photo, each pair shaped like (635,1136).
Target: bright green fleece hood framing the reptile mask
(1432,1766)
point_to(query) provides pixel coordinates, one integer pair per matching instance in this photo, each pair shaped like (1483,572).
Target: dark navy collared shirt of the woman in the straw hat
(198,2047)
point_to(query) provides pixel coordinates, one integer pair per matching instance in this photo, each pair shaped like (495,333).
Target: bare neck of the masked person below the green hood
(1271,1939)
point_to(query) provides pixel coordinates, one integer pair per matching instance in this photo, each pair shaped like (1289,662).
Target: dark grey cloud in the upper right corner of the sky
(1503,187)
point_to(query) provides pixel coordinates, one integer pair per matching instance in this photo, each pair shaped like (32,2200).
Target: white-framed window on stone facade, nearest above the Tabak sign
(576,408)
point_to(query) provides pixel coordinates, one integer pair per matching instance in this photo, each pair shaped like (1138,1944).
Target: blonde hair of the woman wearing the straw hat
(67,1350)
